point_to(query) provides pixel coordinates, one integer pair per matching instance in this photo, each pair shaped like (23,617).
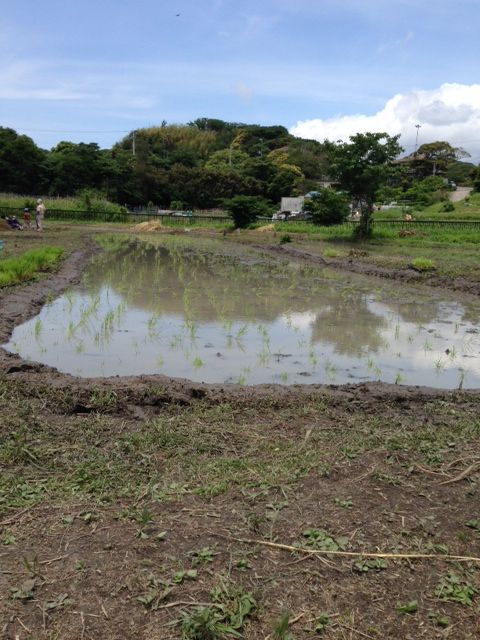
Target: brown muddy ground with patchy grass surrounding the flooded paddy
(152,508)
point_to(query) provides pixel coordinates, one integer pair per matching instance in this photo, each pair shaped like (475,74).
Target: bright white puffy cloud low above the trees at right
(450,113)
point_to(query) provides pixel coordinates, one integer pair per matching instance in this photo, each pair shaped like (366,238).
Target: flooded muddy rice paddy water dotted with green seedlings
(196,310)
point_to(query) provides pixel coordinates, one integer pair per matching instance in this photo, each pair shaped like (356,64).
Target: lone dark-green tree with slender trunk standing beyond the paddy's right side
(360,167)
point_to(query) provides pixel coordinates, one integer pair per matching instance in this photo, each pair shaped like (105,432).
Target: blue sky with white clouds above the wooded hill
(95,70)
